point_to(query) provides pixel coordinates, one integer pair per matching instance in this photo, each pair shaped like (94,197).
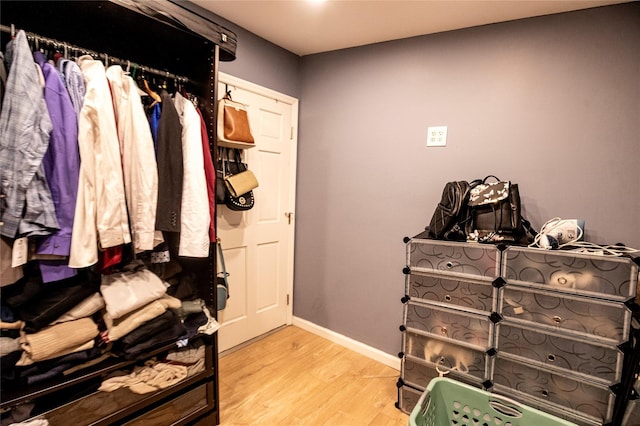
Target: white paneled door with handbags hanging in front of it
(258,244)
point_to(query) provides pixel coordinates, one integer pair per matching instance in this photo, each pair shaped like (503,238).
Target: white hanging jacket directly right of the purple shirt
(101,211)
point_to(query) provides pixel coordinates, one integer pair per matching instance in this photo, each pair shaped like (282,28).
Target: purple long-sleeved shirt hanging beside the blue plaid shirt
(62,167)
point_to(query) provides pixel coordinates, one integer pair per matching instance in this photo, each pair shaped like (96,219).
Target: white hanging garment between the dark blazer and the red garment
(194,230)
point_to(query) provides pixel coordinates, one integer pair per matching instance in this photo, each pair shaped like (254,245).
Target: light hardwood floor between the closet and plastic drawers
(293,377)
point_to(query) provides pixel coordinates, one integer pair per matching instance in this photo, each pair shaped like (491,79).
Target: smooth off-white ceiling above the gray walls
(305,27)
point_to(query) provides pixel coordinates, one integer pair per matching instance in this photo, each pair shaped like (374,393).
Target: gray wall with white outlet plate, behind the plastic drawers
(552,103)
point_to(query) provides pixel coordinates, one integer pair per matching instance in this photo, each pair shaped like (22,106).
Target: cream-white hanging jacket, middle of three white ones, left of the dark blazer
(138,159)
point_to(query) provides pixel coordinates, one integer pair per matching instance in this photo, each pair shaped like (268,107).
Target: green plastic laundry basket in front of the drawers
(447,402)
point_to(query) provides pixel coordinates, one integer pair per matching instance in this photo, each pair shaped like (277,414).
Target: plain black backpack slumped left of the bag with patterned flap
(451,214)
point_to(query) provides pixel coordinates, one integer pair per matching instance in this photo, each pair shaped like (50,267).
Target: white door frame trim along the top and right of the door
(235,82)
